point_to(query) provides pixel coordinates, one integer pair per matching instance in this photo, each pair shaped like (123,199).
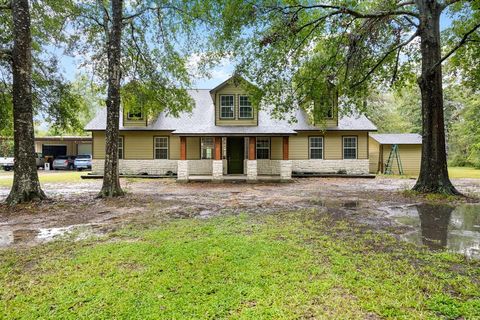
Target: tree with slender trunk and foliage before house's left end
(141,51)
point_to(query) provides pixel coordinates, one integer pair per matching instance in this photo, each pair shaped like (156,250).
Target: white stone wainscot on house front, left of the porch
(159,167)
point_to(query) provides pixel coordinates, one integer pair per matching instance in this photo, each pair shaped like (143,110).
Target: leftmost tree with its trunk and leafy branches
(31,85)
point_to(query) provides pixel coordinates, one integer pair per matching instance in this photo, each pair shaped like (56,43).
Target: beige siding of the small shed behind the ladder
(410,155)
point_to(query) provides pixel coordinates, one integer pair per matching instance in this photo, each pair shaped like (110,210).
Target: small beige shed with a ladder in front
(409,150)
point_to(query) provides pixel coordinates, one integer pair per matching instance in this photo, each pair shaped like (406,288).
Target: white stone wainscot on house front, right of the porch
(354,166)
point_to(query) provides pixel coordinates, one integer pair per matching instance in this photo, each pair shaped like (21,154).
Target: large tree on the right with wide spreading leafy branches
(296,51)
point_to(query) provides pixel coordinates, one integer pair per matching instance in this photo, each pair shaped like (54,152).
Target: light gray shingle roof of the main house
(201,121)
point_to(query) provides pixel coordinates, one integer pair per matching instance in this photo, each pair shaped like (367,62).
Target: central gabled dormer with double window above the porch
(233,105)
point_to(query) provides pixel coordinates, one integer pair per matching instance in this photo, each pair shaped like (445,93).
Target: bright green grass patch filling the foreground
(282,266)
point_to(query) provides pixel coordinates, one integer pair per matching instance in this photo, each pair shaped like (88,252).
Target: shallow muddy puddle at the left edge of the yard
(9,237)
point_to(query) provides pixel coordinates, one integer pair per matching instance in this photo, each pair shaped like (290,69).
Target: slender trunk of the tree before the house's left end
(111,182)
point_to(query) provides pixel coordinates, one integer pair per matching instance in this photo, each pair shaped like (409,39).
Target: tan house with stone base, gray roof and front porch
(225,135)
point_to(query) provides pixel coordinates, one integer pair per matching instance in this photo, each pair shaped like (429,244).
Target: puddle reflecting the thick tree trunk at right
(442,227)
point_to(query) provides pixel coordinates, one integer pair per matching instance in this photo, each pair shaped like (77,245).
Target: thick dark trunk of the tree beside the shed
(433,171)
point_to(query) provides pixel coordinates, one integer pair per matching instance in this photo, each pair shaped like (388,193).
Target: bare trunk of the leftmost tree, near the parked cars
(26,186)
